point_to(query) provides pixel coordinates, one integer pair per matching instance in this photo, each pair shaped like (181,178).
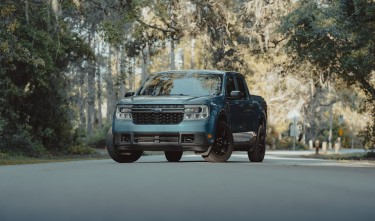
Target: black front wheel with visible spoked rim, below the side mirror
(223,145)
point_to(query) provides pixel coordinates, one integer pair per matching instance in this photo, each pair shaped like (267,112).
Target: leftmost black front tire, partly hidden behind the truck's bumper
(120,156)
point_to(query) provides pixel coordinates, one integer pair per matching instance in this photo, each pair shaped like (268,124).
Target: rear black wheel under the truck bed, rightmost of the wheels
(259,150)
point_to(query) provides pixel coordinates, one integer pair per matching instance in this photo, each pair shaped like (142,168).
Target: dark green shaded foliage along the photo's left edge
(34,54)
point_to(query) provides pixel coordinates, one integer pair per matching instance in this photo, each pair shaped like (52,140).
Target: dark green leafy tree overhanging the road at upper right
(337,37)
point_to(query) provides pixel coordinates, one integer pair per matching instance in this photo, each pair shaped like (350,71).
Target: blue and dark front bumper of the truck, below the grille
(186,136)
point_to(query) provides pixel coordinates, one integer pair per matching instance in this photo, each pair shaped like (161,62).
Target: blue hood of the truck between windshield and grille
(166,100)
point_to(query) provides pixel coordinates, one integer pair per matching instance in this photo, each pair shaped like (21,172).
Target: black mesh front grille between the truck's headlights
(158,114)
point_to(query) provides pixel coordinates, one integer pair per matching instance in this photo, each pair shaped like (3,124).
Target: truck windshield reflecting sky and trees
(189,84)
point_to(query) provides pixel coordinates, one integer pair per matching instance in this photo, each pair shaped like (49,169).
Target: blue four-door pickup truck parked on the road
(206,111)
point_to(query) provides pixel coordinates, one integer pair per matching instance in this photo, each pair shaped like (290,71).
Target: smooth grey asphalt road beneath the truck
(283,187)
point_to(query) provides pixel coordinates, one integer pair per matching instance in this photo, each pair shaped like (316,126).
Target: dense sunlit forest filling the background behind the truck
(65,63)
